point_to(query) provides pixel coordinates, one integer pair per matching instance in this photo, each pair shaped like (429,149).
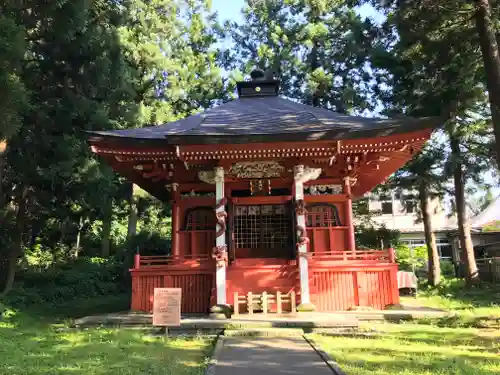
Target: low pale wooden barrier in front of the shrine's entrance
(264,302)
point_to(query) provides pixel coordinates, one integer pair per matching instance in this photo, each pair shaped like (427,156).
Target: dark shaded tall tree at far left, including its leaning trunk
(74,74)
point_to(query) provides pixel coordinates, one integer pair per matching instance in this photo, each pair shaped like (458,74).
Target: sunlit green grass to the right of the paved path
(412,349)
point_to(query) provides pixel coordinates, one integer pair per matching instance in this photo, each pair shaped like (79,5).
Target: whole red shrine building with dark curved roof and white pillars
(261,190)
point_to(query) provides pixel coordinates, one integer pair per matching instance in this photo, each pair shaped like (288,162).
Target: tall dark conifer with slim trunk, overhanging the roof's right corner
(436,71)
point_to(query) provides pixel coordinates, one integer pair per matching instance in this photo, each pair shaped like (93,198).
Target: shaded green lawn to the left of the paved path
(34,346)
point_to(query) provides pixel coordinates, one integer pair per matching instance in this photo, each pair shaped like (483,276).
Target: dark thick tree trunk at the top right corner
(491,60)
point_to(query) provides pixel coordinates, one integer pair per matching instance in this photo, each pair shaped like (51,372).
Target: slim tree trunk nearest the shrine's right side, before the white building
(434,271)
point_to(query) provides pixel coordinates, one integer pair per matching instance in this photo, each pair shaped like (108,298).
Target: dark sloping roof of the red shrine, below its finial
(269,118)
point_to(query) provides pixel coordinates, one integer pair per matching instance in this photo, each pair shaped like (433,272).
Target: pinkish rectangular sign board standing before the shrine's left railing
(167,307)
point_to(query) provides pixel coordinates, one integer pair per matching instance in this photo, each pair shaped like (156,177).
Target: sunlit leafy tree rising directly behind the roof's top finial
(318,49)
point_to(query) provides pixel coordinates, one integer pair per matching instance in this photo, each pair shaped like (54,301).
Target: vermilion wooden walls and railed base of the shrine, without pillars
(336,284)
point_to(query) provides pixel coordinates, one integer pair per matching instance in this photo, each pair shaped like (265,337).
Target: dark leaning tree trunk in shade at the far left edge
(8,264)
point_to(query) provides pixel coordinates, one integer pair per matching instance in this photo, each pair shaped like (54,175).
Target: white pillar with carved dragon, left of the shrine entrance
(220,242)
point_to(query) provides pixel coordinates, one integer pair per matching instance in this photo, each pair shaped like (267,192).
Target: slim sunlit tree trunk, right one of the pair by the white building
(472,274)
